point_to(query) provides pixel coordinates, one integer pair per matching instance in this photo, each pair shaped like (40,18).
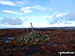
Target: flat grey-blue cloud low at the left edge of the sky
(11,21)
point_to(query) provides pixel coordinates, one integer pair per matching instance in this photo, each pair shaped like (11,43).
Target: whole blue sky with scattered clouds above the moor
(41,13)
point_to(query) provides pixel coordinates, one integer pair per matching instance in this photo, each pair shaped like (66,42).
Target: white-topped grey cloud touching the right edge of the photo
(69,16)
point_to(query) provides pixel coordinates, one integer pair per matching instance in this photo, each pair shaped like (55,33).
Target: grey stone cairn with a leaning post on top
(32,37)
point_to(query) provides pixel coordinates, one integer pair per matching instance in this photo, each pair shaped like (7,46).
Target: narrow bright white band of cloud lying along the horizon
(36,25)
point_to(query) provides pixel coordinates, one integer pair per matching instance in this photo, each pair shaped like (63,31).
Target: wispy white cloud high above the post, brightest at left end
(29,9)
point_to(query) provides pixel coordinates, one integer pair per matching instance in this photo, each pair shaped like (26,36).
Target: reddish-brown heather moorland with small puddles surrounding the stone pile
(60,40)
